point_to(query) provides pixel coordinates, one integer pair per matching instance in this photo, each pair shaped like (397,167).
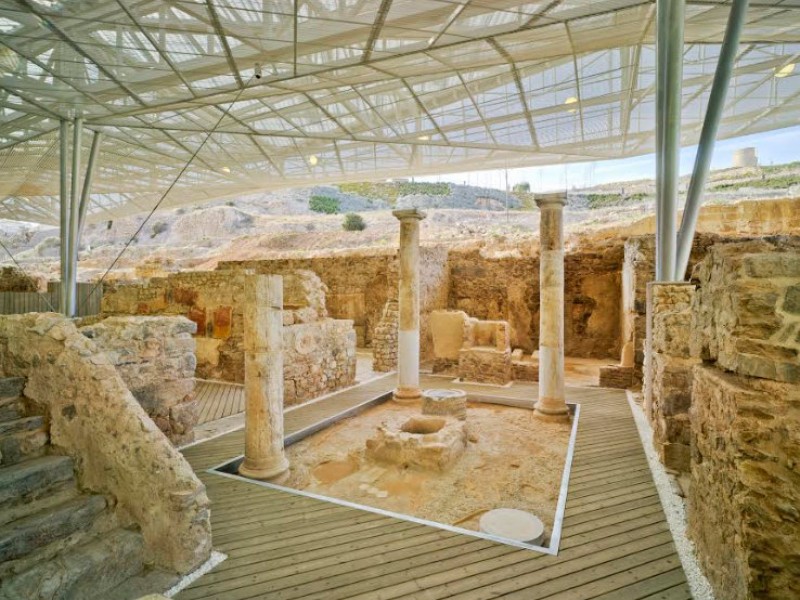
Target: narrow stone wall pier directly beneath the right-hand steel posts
(668,386)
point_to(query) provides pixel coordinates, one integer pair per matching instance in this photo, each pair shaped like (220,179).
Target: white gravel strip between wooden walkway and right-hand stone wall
(674,508)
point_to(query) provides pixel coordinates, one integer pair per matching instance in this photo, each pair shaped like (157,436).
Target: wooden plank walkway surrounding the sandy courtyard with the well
(615,541)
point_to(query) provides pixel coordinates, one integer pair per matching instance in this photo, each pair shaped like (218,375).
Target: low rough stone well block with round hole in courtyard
(430,443)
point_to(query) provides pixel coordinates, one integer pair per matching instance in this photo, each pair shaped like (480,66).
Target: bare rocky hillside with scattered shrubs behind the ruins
(307,219)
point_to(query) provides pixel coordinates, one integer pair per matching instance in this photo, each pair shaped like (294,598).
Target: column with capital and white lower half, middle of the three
(408,301)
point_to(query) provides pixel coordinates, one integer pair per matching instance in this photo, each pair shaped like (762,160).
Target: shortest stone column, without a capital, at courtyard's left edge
(264,457)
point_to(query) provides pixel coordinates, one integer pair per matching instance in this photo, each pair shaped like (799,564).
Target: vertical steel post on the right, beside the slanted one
(669,79)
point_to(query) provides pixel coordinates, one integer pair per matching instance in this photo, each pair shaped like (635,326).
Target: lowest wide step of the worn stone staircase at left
(86,571)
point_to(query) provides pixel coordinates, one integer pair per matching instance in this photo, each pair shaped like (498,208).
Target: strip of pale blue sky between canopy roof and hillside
(774,147)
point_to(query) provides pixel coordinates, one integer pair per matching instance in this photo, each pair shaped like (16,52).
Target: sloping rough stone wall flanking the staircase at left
(117,449)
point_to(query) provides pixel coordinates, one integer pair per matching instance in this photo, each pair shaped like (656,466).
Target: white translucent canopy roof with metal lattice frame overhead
(354,89)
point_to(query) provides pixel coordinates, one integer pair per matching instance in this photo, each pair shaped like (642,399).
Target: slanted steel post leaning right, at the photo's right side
(708,136)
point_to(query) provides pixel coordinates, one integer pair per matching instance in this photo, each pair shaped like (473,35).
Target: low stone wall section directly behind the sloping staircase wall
(155,356)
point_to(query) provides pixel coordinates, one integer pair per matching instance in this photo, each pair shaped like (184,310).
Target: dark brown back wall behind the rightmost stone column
(507,288)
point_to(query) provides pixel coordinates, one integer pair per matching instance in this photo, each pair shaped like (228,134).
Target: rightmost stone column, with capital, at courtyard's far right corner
(551,306)
